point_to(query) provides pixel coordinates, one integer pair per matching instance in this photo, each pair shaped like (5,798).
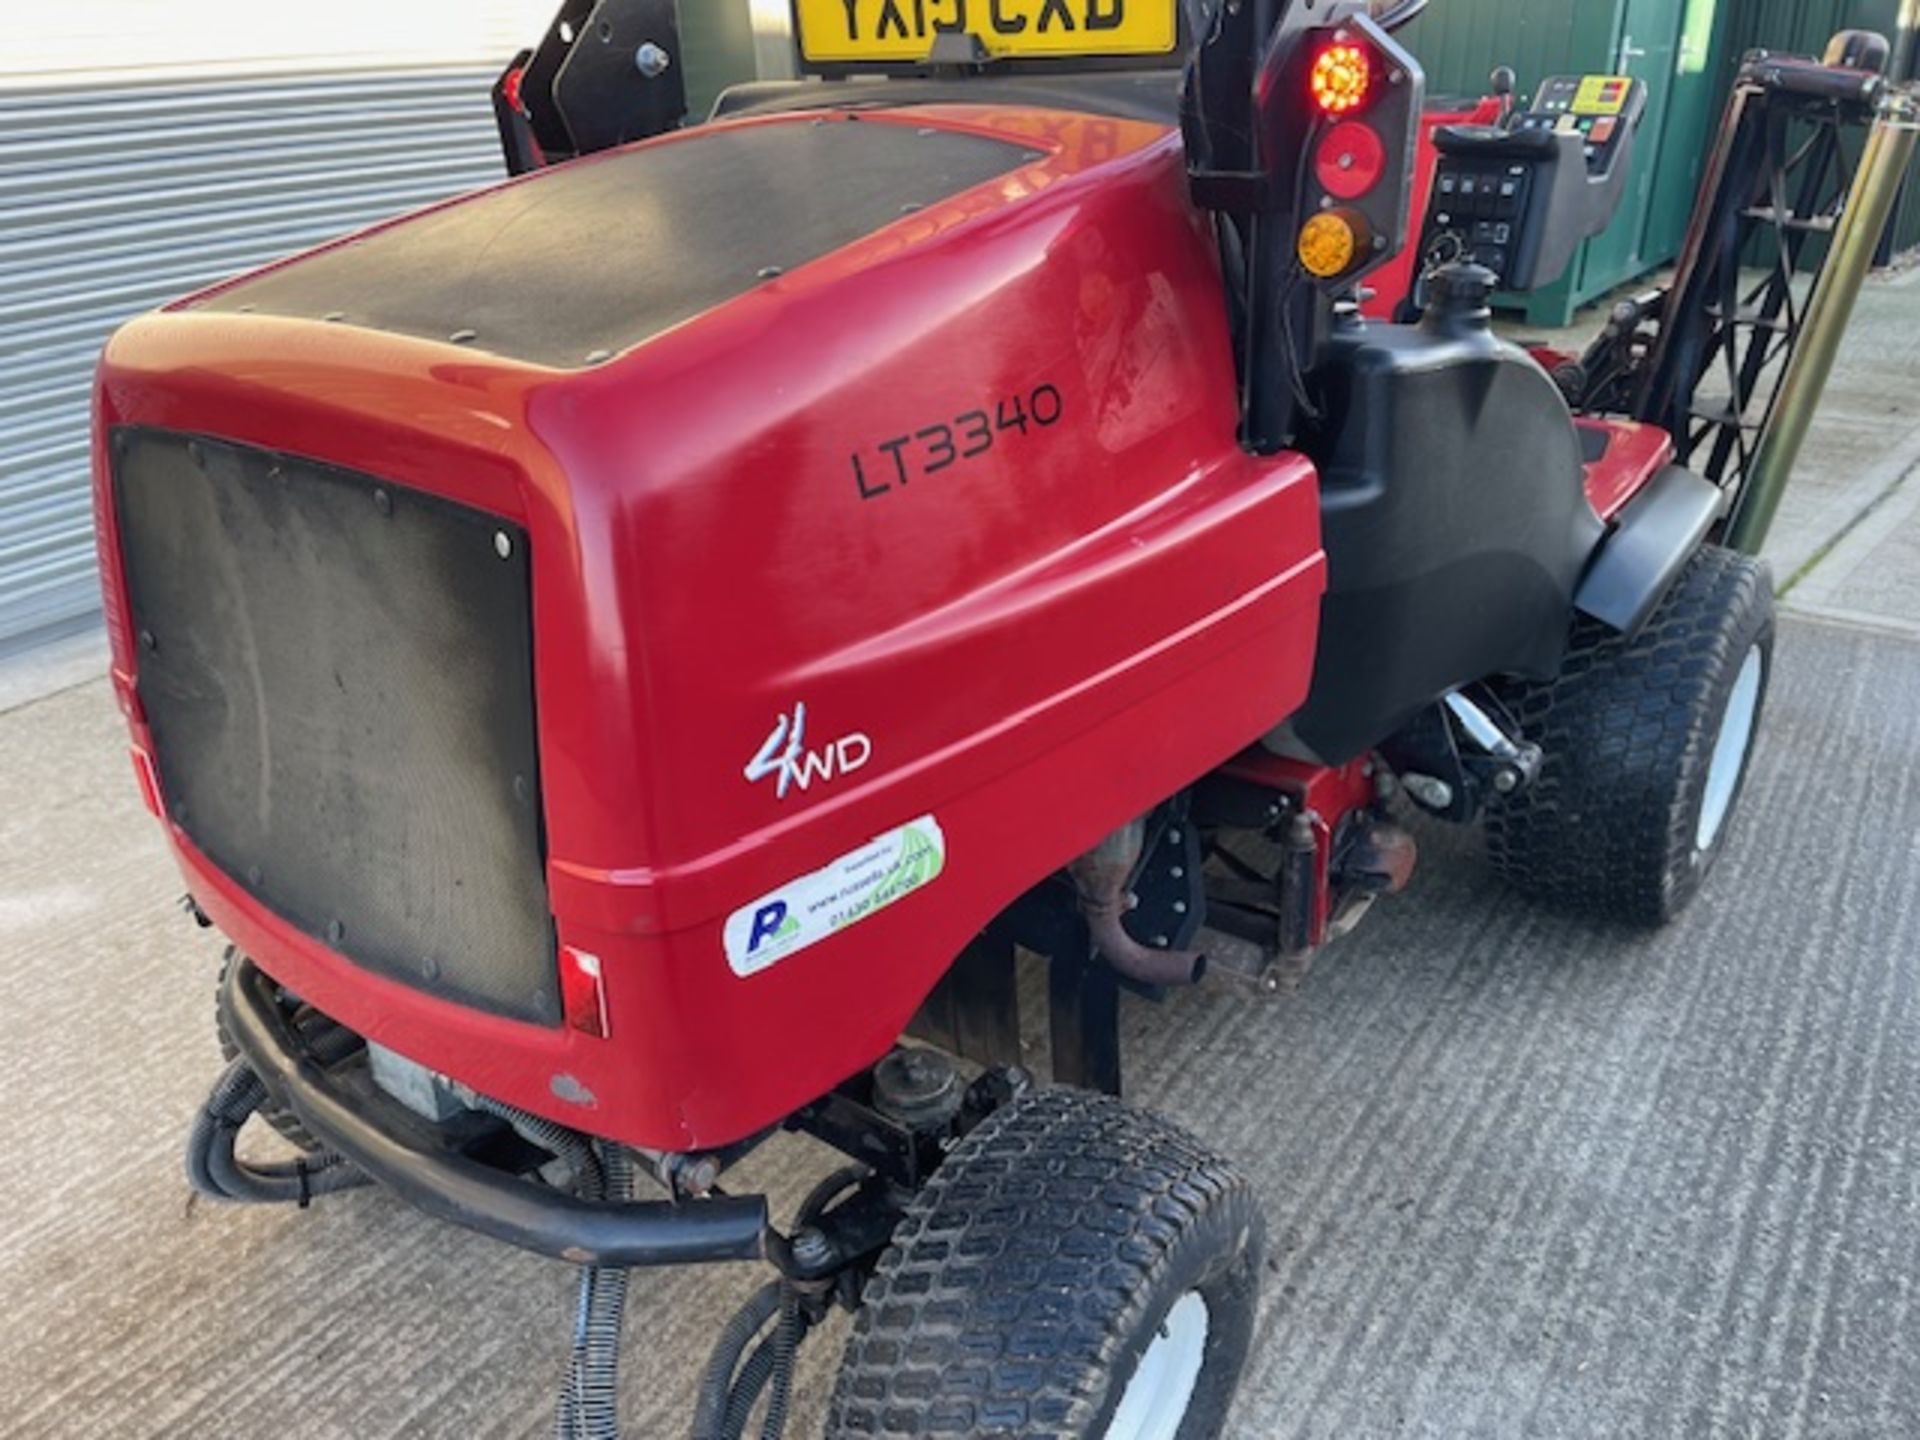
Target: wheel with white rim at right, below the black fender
(1646,748)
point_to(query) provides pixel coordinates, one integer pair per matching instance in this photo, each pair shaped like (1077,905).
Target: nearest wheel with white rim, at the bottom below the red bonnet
(1074,1270)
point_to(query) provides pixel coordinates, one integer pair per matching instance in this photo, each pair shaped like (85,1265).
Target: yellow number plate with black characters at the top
(903,32)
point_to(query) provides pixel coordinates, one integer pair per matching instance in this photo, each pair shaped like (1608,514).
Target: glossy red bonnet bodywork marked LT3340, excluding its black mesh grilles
(1036,644)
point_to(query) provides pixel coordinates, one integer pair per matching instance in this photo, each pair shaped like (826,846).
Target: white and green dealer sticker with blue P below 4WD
(828,901)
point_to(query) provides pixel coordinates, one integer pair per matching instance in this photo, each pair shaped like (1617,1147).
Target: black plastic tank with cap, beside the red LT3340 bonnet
(1454,510)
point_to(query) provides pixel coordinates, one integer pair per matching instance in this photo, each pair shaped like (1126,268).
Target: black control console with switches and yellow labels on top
(1522,197)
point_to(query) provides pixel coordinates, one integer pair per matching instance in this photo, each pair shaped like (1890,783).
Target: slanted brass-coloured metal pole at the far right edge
(1890,149)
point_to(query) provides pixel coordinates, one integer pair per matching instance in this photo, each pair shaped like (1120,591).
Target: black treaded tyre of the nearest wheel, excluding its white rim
(1005,1303)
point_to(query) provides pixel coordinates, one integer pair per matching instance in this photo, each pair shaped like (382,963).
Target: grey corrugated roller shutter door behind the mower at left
(120,199)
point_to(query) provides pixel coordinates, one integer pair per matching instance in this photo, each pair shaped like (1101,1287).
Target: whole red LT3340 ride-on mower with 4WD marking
(636,658)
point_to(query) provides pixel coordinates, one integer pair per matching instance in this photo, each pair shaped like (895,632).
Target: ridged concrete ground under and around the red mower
(1525,1176)
